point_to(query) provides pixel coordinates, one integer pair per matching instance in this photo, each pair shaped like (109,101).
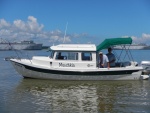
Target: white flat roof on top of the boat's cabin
(74,47)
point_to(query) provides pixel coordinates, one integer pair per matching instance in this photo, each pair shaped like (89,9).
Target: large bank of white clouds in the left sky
(31,30)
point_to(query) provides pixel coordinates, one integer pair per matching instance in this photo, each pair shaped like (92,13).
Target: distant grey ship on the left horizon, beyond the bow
(23,45)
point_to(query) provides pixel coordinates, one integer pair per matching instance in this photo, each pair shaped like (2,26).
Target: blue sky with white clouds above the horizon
(79,21)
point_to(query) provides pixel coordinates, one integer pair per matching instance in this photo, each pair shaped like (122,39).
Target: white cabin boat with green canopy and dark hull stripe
(77,62)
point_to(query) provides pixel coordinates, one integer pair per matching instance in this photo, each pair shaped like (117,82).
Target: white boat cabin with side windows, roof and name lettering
(74,56)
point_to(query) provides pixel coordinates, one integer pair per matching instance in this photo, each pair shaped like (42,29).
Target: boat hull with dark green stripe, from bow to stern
(97,74)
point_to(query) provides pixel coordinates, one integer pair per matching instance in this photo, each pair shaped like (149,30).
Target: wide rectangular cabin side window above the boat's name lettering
(67,56)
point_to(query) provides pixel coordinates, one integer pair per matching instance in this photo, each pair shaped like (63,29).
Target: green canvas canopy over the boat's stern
(113,41)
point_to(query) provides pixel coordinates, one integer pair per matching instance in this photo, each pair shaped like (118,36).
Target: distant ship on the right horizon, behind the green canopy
(133,46)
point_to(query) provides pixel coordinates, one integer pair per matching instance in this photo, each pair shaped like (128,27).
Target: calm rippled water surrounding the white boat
(18,95)
